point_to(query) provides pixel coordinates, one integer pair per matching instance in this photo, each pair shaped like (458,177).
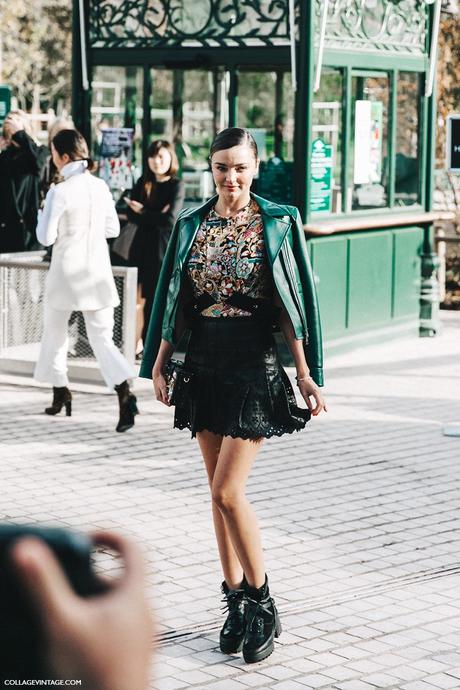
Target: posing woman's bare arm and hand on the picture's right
(305,383)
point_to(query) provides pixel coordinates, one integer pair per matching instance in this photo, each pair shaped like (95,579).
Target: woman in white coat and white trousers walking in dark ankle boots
(78,217)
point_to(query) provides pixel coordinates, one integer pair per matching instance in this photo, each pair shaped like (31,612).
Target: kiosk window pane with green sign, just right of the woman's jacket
(326,189)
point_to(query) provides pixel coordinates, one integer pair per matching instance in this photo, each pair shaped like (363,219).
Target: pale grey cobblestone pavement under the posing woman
(360,520)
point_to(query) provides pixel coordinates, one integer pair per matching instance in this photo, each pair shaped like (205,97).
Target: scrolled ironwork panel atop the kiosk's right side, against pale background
(389,25)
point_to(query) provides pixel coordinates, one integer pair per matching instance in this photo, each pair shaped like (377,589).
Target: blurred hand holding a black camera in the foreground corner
(99,631)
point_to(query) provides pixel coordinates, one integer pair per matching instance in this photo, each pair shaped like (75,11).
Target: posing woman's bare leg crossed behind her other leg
(210,445)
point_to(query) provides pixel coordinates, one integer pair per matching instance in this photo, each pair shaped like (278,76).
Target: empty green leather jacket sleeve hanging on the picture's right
(314,346)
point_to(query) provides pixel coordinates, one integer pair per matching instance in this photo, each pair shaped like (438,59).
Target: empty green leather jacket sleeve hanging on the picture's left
(155,330)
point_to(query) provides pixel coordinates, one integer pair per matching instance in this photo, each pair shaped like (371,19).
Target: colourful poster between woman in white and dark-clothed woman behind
(116,157)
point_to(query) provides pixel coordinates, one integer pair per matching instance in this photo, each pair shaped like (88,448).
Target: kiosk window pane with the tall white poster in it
(369,143)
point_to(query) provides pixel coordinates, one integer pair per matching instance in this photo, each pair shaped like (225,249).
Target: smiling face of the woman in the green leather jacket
(233,171)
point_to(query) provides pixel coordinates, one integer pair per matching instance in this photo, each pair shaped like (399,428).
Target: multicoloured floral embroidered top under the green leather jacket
(229,256)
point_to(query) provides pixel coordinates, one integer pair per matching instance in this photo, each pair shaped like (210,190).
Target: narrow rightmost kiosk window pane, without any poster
(407,166)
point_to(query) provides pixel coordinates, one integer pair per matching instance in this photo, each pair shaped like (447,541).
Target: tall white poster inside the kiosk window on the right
(368,142)
